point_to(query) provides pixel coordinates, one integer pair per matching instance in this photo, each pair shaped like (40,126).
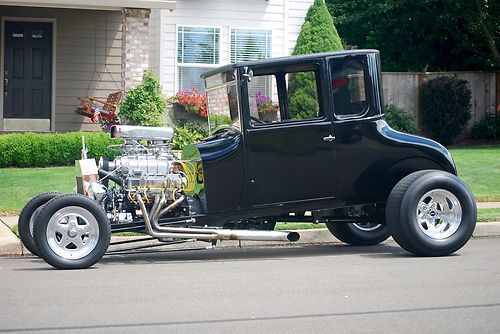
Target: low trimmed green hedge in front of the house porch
(51,149)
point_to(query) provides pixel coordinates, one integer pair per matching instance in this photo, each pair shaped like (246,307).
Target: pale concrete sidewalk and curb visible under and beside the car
(11,245)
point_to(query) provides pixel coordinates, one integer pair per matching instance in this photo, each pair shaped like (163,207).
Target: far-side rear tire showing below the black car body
(359,234)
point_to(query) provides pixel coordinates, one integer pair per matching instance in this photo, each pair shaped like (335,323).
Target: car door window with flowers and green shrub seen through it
(284,97)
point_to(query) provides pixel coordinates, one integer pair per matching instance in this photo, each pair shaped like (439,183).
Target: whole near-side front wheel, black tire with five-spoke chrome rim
(77,243)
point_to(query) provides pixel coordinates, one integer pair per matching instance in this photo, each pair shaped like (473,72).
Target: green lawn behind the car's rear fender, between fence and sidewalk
(479,167)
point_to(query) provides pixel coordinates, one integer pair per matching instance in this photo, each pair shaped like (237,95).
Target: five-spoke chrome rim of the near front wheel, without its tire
(72,232)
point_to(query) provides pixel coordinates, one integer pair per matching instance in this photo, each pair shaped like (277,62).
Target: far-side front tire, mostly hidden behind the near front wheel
(27,219)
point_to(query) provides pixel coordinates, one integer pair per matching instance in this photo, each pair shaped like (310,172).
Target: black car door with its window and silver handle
(290,157)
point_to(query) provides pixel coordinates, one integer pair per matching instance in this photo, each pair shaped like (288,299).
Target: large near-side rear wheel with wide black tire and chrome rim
(417,235)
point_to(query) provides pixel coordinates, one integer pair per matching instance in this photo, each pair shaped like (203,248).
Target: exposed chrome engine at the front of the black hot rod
(145,165)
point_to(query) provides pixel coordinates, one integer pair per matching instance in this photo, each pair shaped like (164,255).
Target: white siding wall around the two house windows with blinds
(283,17)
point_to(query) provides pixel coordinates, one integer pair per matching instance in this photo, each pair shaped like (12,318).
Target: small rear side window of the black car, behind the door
(350,93)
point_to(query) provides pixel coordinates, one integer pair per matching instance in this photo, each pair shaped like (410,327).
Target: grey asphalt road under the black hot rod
(311,289)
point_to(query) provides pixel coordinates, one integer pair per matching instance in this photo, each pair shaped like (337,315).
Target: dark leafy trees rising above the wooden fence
(420,35)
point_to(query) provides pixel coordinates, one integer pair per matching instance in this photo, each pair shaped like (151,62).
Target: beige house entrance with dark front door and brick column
(54,51)
